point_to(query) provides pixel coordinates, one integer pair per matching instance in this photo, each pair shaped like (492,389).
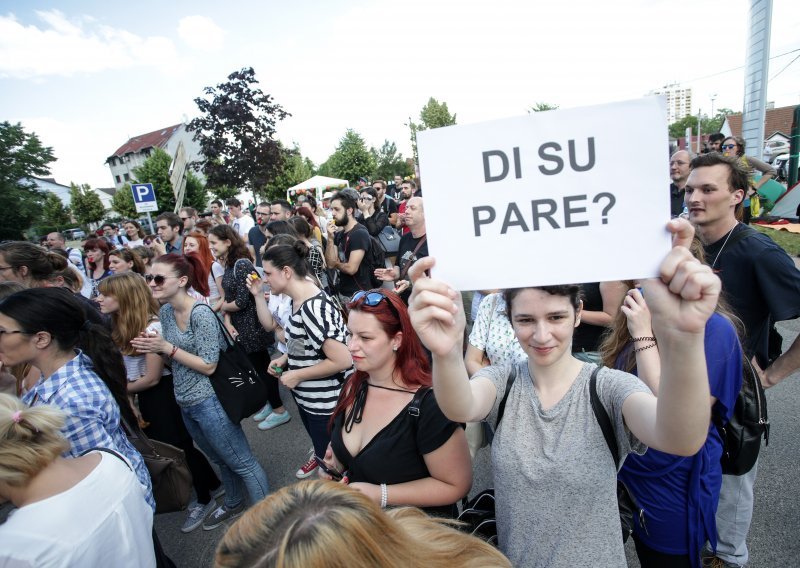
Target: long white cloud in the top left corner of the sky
(67,47)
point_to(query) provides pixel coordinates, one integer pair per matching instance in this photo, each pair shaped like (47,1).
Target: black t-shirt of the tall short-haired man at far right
(760,282)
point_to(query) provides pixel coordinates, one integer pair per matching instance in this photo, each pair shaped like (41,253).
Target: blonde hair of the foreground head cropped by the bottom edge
(321,524)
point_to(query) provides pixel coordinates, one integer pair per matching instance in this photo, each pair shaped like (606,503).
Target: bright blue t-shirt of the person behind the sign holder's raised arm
(680,494)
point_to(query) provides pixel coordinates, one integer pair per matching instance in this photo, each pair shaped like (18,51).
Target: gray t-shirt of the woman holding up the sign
(554,477)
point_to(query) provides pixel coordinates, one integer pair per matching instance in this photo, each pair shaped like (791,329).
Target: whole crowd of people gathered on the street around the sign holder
(385,369)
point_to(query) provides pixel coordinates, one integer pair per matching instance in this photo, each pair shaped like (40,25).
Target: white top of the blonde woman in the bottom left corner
(104,520)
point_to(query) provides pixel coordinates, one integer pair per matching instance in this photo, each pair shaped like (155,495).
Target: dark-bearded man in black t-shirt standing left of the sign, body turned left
(348,243)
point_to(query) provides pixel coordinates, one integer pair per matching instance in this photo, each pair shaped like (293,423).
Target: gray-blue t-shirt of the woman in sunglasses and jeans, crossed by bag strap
(202,338)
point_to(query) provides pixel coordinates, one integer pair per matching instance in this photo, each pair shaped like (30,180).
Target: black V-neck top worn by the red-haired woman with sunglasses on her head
(396,453)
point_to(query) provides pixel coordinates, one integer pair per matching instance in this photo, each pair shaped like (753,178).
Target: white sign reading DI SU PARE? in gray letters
(556,197)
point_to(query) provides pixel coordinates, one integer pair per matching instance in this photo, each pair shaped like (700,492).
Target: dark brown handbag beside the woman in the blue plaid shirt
(169,472)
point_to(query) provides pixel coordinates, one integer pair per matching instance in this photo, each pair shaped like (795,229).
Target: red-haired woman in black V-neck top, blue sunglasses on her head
(389,435)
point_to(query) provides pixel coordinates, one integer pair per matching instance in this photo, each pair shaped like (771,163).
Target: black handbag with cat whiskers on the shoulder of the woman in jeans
(237,384)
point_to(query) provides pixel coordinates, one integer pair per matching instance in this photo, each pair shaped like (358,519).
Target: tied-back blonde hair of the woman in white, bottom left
(30,439)
